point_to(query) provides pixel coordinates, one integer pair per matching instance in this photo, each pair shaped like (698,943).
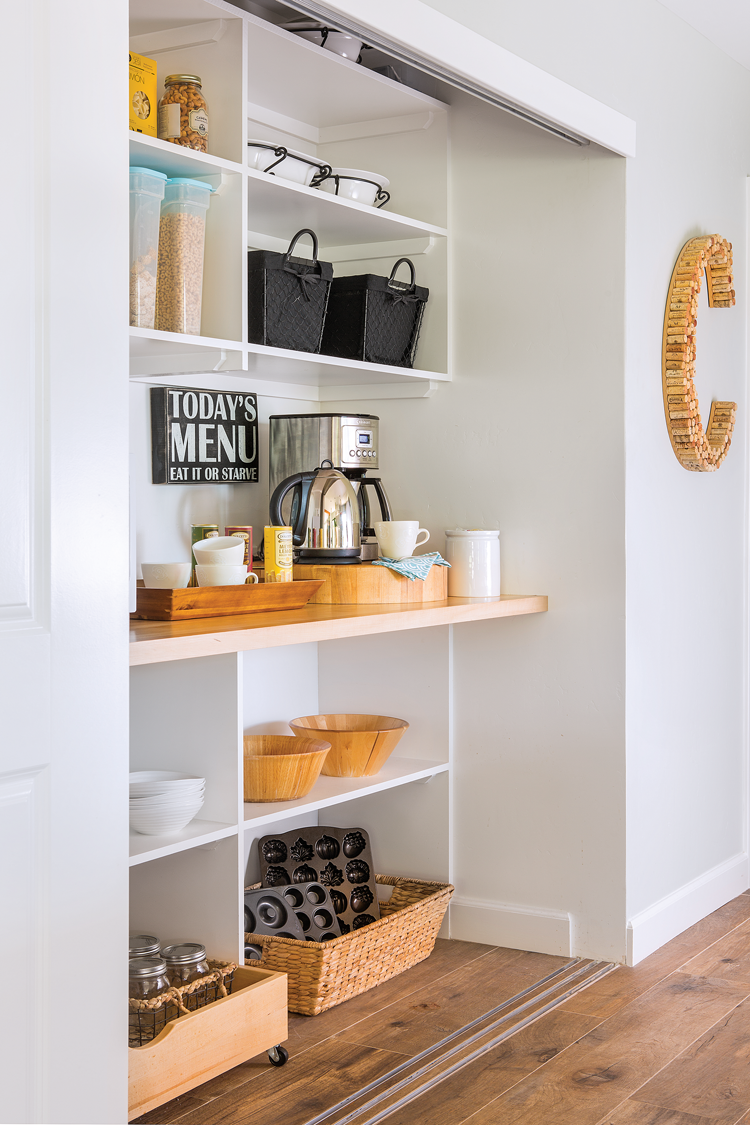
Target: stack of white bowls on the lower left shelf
(162,802)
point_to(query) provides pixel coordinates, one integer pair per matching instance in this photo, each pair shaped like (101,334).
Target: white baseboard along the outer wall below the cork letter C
(654,928)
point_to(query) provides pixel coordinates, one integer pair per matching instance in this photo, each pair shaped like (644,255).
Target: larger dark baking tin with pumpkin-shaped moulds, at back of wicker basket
(339,859)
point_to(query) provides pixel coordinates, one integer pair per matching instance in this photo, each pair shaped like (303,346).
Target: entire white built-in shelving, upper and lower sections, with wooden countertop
(193,704)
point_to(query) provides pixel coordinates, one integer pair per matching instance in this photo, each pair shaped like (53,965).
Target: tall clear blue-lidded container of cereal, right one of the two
(182,239)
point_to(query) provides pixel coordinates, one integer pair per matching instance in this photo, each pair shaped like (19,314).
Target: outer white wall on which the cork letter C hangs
(686,537)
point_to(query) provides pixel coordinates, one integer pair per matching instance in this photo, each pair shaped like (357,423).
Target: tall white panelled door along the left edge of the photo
(64,596)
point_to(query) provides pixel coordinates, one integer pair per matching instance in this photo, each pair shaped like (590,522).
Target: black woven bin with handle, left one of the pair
(287,298)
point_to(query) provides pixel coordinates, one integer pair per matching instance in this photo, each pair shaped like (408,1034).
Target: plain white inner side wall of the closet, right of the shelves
(539,250)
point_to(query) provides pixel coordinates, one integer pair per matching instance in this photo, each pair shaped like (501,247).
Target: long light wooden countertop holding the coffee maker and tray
(153,642)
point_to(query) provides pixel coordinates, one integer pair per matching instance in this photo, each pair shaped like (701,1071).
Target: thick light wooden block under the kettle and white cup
(365,584)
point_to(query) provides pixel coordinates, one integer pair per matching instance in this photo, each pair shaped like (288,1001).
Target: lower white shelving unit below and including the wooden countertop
(197,688)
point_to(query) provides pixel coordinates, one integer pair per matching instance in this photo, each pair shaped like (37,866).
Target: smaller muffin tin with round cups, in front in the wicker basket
(304,913)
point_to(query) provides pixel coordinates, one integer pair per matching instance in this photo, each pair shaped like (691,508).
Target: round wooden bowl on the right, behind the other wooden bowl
(360,744)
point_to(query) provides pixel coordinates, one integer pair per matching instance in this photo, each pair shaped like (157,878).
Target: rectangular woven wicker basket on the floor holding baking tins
(323,975)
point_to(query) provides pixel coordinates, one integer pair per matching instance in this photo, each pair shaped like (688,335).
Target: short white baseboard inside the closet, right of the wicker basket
(512,926)
